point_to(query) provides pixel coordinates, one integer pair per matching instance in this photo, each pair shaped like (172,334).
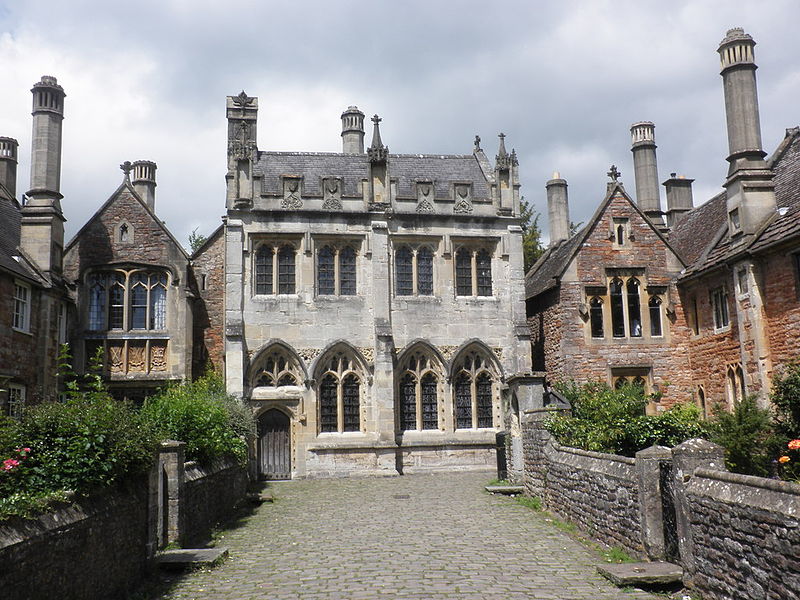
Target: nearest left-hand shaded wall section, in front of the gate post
(95,548)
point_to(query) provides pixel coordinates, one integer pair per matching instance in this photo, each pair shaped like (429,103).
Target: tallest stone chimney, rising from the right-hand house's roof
(750,187)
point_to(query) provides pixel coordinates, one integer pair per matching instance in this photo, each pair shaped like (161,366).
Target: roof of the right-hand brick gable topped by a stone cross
(544,274)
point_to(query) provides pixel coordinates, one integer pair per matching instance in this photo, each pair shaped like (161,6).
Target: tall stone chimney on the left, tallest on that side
(42,223)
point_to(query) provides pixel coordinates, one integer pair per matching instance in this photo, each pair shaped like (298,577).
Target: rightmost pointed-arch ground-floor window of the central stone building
(474,395)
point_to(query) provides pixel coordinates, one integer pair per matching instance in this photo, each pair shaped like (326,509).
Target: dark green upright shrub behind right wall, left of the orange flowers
(747,435)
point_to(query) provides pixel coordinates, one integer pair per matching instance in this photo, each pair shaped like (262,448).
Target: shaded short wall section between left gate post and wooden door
(209,497)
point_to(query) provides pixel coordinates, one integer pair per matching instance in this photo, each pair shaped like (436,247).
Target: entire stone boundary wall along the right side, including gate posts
(735,536)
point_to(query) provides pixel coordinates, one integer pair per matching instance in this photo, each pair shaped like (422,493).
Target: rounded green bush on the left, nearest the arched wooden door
(212,423)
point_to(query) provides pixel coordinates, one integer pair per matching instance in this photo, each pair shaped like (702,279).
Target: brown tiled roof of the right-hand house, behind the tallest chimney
(701,235)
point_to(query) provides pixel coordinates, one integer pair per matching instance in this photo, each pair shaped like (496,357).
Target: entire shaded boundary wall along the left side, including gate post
(101,547)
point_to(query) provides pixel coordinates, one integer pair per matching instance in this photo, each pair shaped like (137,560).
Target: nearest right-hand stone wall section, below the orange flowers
(746,536)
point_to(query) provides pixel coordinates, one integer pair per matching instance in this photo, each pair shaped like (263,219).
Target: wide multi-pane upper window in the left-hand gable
(128,299)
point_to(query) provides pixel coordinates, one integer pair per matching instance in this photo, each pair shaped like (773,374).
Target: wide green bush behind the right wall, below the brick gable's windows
(613,420)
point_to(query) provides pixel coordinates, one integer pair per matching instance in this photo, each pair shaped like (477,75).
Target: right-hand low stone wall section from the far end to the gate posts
(597,492)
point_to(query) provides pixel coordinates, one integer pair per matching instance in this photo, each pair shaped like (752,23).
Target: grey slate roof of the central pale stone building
(442,169)
